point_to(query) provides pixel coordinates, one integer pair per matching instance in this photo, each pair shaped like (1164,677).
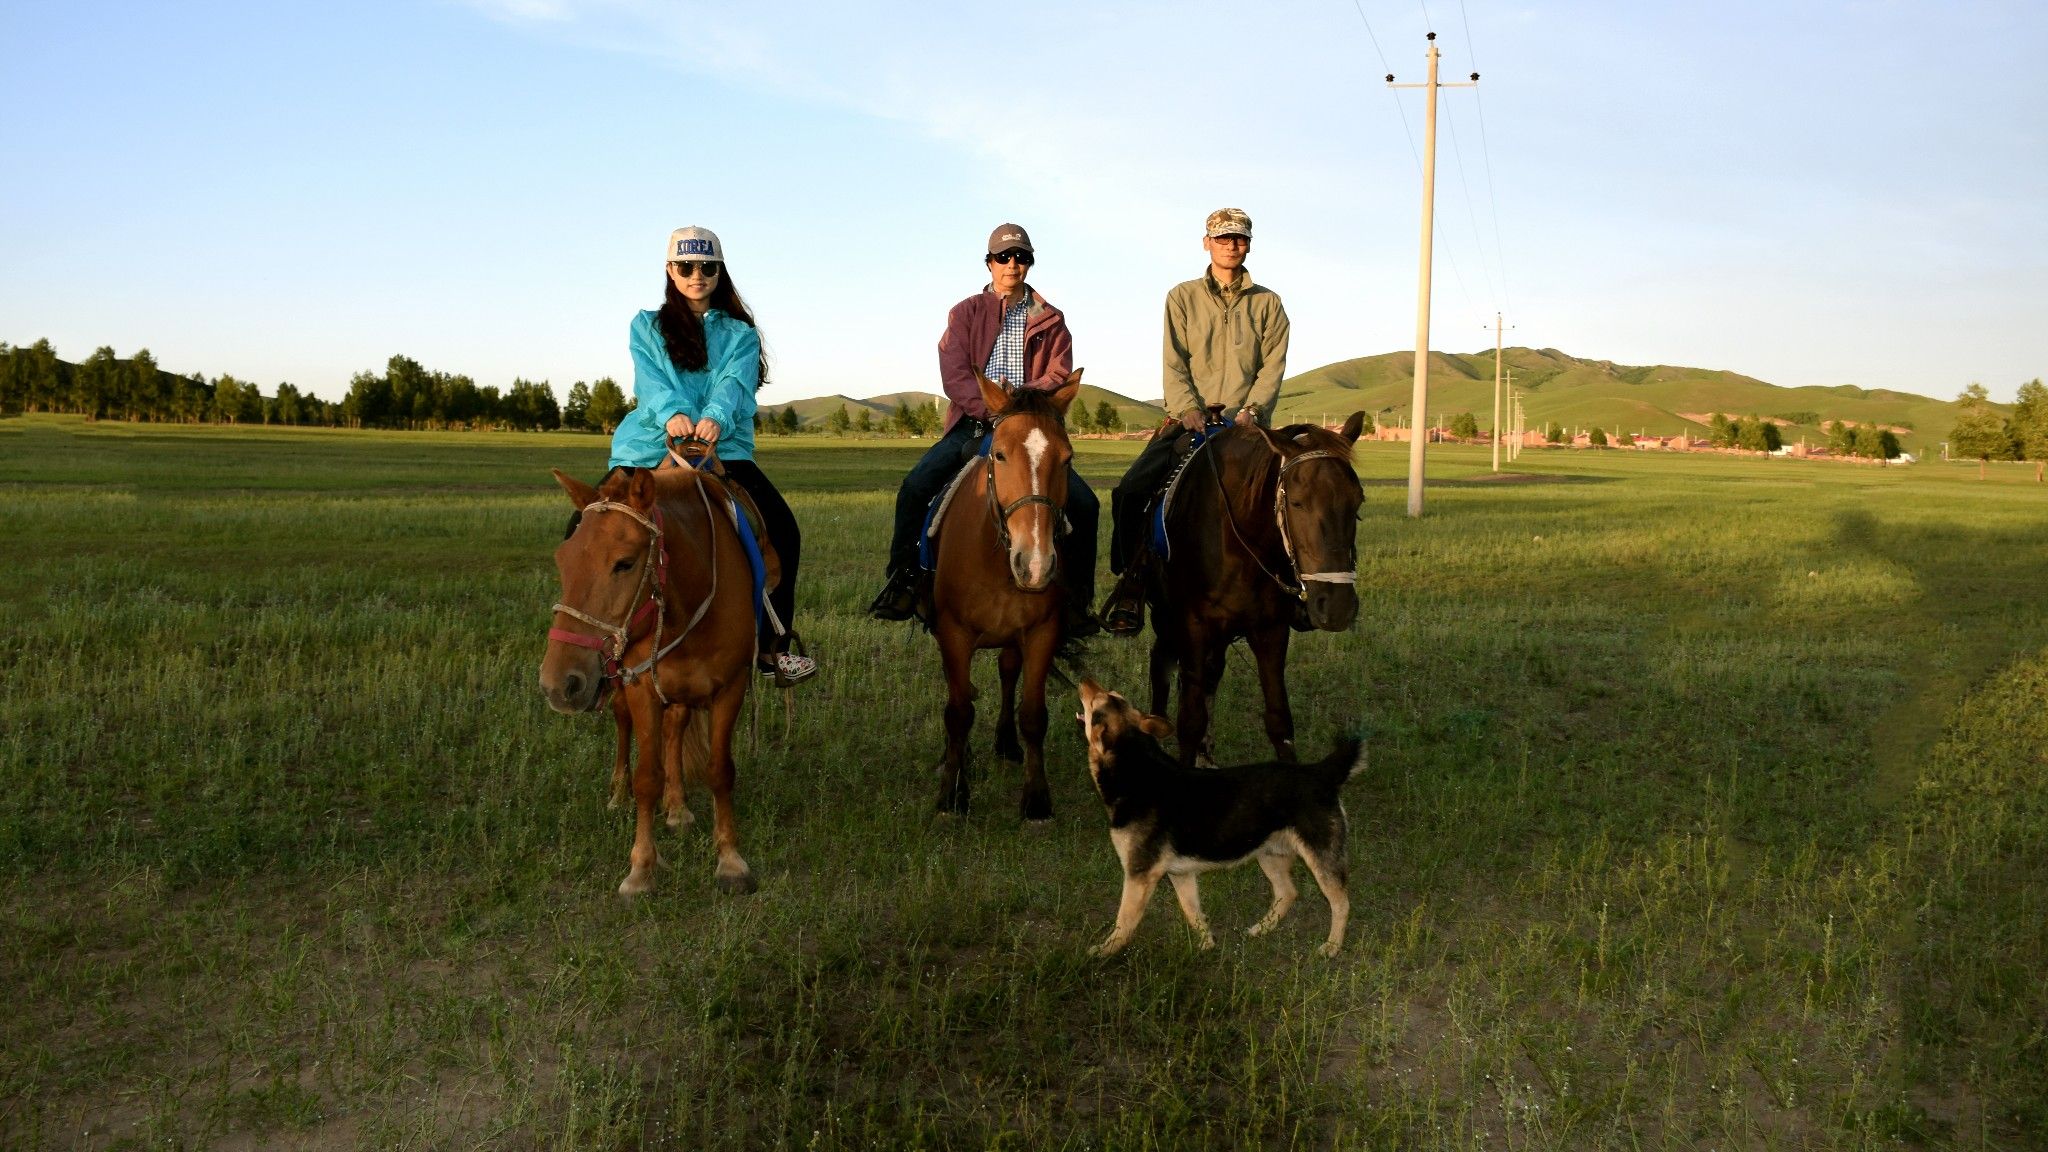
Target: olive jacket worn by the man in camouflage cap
(1224,347)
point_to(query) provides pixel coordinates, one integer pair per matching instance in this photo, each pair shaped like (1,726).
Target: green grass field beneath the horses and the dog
(1707,811)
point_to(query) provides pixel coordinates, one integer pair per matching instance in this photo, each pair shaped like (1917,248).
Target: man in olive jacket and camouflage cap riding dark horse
(1226,347)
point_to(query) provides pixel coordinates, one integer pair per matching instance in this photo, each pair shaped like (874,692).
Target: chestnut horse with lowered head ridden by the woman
(656,600)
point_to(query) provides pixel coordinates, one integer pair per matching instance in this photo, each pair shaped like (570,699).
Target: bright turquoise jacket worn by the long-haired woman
(724,390)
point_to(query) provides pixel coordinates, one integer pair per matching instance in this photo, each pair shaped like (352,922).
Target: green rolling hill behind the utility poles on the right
(1603,395)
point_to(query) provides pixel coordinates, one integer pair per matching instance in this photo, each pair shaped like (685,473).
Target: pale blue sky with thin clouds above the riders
(1801,192)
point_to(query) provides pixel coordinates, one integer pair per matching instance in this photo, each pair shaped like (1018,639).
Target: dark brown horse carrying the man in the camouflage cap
(1263,534)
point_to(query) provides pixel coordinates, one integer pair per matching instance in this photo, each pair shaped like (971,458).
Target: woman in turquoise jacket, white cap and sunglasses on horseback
(697,364)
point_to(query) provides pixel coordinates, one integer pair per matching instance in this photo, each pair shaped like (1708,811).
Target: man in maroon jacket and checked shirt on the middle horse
(1013,335)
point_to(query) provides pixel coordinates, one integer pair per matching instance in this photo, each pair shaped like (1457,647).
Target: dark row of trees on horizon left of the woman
(404,397)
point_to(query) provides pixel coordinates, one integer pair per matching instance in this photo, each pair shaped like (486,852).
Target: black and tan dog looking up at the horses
(1181,823)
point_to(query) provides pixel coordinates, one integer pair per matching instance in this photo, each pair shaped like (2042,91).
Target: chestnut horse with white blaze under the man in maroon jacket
(992,583)
